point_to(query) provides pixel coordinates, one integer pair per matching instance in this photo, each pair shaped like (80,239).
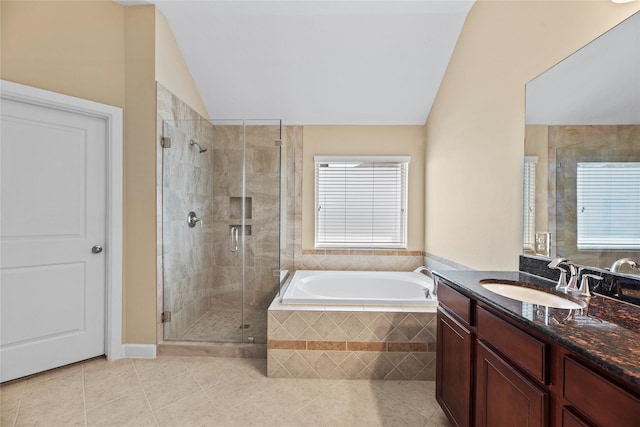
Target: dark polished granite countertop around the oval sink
(615,347)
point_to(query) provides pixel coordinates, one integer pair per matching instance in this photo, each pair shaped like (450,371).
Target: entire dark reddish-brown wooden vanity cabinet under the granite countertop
(493,372)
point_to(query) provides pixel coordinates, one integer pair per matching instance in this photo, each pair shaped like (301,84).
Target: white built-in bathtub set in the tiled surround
(360,288)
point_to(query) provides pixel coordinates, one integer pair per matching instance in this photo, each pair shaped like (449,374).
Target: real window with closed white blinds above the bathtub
(361,202)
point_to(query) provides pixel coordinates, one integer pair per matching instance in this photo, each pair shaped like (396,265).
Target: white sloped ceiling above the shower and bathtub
(317,62)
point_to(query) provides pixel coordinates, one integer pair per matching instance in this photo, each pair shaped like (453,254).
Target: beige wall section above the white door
(75,48)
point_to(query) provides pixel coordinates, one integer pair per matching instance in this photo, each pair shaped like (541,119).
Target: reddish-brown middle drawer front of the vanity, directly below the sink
(521,348)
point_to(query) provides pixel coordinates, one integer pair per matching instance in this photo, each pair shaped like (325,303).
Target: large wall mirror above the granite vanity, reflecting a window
(582,153)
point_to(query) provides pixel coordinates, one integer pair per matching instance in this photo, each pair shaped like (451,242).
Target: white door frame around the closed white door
(113,117)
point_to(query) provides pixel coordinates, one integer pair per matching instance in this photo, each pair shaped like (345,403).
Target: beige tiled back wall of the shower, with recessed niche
(261,216)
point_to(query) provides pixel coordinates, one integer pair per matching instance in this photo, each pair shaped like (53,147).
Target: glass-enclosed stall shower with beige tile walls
(221,221)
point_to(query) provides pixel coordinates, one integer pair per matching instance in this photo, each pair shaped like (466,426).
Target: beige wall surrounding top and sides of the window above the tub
(366,141)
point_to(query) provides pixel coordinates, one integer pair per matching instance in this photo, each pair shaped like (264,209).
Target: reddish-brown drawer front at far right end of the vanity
(598,398)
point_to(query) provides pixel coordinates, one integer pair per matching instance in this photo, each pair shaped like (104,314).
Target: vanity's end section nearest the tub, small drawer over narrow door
(454,357)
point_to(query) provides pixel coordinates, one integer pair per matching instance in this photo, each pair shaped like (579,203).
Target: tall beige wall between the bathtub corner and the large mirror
(475,130)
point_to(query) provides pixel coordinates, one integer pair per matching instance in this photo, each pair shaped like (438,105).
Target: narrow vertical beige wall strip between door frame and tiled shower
(139,306)
